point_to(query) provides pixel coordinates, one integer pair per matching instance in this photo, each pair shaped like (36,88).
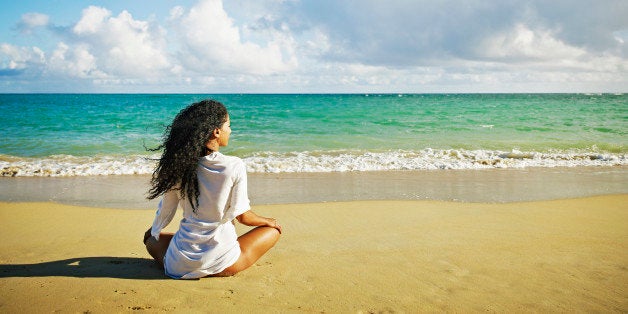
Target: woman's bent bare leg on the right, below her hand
(253,245)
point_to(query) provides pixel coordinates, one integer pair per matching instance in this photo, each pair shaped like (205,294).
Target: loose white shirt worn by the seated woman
(206,242)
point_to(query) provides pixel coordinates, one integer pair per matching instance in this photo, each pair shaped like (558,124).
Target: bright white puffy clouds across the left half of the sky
(204,41)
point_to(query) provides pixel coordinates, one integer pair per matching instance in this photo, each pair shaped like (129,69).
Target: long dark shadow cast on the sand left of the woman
(88,267)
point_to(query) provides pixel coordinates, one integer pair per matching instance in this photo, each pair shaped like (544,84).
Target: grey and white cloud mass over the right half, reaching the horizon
(492,45)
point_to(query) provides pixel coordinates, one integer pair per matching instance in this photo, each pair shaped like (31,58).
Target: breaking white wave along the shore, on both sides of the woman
(320,161)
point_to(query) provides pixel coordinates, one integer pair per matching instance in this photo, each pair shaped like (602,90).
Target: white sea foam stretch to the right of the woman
(428,159)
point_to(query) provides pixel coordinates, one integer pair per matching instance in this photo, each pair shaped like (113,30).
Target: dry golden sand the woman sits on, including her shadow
(362,256)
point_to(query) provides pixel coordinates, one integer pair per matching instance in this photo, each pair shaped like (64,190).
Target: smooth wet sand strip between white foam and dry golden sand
(472,186)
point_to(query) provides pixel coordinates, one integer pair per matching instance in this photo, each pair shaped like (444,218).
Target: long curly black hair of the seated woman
(184,142)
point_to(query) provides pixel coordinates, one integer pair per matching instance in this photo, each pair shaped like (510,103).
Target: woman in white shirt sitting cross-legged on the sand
(212,190)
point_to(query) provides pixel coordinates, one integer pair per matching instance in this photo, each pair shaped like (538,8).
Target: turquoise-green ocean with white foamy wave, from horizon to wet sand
(108,134)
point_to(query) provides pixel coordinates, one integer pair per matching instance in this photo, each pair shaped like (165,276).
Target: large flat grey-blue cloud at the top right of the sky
(407,33)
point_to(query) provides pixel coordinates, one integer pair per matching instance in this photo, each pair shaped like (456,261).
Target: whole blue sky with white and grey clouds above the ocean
(313,46)
